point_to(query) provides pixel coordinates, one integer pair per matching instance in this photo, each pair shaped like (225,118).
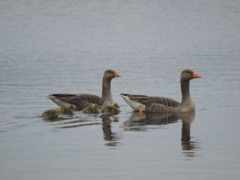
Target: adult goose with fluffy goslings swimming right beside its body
(81,101)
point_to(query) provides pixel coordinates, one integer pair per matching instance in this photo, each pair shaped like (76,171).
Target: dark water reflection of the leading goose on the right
(138,122)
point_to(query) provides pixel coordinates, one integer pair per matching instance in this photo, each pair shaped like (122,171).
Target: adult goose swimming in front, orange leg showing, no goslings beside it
(158,104)
